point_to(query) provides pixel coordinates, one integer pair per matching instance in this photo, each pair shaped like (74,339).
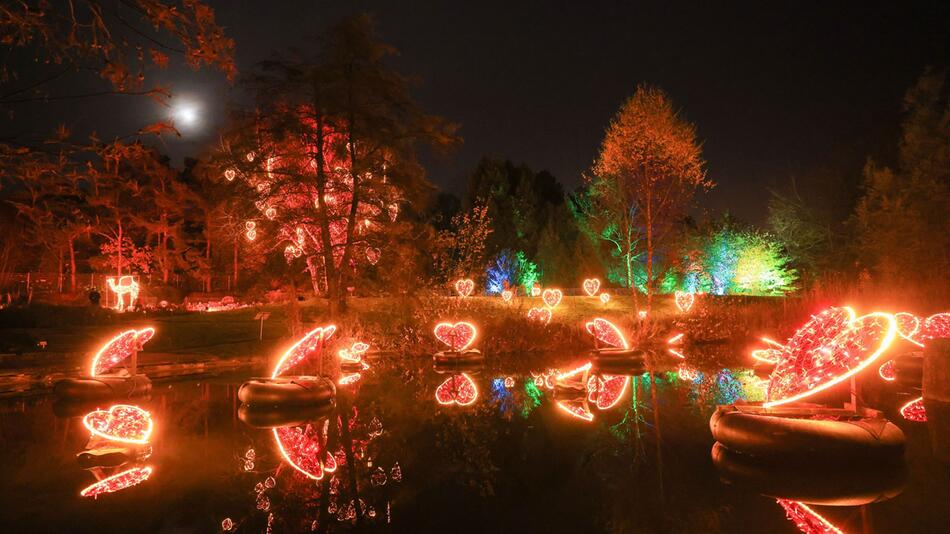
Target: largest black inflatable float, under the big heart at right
(819,434)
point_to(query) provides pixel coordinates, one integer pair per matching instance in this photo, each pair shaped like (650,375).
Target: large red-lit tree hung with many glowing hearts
(328,155)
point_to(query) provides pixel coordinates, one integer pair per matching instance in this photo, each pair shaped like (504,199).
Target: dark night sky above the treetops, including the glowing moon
(773,91)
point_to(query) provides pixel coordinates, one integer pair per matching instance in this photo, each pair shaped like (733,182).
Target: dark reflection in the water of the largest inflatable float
(802,480)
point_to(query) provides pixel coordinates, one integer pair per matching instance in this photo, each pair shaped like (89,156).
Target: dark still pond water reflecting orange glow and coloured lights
(512,460)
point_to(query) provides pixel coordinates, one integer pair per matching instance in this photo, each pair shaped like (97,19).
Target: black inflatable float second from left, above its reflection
(287,391)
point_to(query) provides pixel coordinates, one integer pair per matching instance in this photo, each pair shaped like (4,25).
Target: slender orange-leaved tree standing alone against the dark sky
(648,170)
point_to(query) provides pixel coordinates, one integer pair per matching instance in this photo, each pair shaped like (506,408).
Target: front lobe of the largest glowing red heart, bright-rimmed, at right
(803,373)
